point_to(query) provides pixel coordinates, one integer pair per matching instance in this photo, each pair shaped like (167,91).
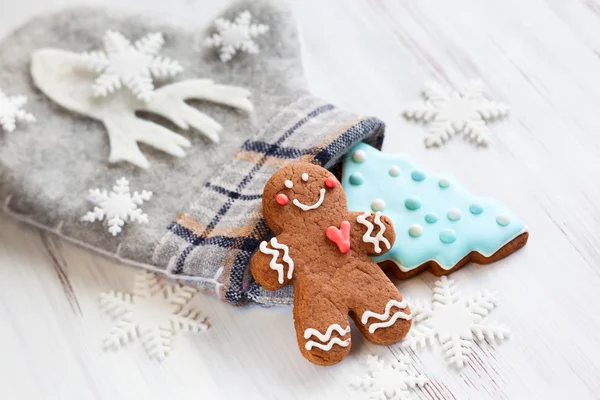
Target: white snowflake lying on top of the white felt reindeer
(132,65)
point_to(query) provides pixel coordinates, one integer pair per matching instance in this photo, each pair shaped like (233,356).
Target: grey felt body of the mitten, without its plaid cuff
(47,167)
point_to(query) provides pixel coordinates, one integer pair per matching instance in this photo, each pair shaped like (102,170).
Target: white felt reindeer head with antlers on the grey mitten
(65,77)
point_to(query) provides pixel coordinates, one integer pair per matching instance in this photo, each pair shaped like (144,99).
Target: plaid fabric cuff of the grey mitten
(213,240)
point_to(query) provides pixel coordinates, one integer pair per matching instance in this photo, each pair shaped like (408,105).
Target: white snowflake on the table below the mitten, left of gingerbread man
(154,313)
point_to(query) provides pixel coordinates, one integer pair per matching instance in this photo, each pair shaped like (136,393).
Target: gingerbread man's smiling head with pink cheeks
(302,193)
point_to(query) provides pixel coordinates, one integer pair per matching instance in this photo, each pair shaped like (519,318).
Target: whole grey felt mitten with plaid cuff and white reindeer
(204,144)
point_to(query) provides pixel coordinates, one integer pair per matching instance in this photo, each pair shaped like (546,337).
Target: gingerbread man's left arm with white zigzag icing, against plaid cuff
(271,266)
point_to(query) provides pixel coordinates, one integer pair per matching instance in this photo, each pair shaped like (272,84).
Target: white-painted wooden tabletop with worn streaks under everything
(371,56)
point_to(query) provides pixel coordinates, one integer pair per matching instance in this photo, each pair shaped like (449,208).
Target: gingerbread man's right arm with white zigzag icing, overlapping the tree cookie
(376,231)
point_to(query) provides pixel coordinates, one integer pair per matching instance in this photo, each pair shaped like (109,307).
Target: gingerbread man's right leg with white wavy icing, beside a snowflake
(380,312)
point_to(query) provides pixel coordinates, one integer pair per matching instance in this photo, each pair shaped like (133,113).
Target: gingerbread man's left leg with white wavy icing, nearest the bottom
(322,325)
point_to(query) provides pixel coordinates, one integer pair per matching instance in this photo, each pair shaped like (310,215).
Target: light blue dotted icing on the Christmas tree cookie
(435,217)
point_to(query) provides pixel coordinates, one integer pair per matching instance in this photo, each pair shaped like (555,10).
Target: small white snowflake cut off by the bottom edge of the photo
(389,381)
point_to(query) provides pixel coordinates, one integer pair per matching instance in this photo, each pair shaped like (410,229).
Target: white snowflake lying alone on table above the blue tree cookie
(450,113)
